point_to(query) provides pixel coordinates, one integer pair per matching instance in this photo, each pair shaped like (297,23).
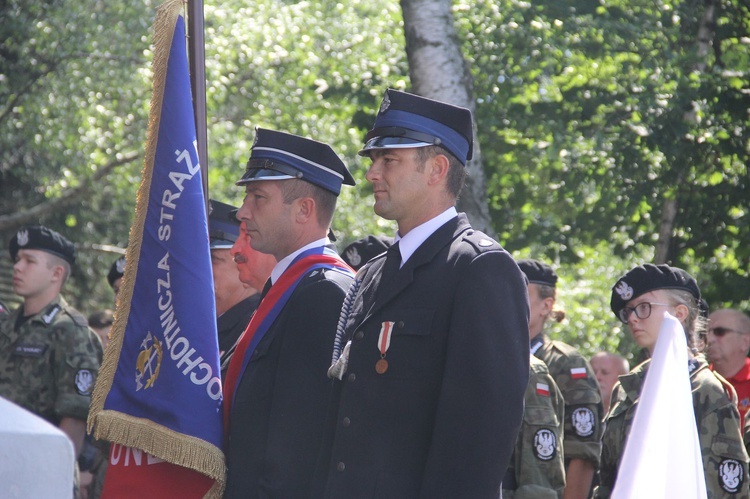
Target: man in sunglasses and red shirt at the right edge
(727,344)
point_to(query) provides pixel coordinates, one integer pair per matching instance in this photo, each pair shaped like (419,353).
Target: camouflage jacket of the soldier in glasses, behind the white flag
(718,430)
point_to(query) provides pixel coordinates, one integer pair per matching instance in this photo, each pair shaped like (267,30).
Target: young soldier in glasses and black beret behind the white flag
(639,299)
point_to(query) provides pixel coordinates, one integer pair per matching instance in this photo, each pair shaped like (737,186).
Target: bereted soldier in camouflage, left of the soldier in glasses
(574,377)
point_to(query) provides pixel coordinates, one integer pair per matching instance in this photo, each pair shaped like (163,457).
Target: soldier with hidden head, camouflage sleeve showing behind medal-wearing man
(537,469)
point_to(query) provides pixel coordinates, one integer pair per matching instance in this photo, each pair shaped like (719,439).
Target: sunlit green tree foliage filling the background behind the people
(590,115)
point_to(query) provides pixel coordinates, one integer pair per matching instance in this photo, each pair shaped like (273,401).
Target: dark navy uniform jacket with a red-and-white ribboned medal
(442,421)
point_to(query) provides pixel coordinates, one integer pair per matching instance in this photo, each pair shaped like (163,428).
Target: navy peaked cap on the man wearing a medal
(408,120)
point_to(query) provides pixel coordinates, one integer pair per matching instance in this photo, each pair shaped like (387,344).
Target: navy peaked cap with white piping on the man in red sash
(279,156)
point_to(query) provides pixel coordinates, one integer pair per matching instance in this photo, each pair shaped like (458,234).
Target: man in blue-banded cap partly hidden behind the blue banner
(236,300)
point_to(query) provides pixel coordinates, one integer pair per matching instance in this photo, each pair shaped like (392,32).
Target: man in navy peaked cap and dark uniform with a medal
(431,367)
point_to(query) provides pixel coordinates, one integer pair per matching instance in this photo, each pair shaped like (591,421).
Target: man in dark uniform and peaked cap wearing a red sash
(276,388)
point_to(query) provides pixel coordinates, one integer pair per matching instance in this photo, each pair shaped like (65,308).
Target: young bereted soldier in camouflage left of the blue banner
(49,358)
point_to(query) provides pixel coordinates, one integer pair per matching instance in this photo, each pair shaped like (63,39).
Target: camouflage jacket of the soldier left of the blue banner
(49,365)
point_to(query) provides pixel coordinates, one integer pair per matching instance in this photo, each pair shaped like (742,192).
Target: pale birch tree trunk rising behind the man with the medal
(439,71)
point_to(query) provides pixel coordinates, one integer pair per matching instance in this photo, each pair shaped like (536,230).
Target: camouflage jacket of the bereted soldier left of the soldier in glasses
(583,402)
